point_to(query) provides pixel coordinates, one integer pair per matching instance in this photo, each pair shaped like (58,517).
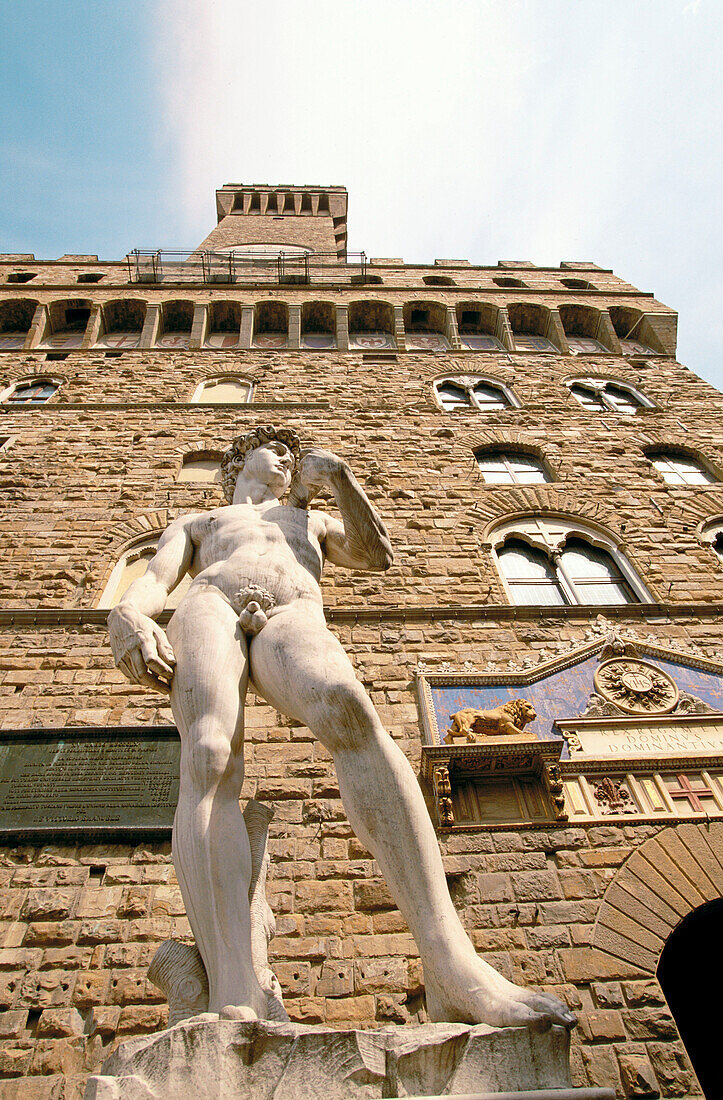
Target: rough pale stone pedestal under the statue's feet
(207,1059)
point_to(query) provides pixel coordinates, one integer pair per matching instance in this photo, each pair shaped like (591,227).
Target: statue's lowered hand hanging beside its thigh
(141,650)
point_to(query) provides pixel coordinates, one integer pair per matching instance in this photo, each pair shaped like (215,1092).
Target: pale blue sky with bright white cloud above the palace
(543,130)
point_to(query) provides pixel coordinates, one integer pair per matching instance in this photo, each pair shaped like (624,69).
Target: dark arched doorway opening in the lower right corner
(692,964)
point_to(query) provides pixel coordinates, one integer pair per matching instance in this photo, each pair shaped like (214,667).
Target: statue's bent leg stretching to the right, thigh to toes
(303,672)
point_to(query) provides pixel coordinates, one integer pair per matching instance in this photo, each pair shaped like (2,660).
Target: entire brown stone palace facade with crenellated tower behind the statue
(552,479)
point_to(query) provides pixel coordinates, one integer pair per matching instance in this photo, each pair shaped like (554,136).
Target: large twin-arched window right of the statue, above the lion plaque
(546,562)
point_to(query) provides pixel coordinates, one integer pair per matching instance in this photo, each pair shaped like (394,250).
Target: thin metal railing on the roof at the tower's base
(280,269)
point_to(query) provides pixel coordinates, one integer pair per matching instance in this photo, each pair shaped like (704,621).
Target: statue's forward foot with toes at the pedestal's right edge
(473,993)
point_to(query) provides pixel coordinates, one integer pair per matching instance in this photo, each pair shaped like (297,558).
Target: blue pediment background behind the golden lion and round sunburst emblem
(562,696)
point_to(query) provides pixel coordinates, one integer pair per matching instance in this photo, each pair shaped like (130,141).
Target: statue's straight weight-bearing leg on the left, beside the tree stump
(211,845)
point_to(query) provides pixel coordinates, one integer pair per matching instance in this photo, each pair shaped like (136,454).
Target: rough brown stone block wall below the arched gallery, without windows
(84,474)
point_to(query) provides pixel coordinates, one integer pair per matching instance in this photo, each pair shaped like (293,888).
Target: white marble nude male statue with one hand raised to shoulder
(254,613)
